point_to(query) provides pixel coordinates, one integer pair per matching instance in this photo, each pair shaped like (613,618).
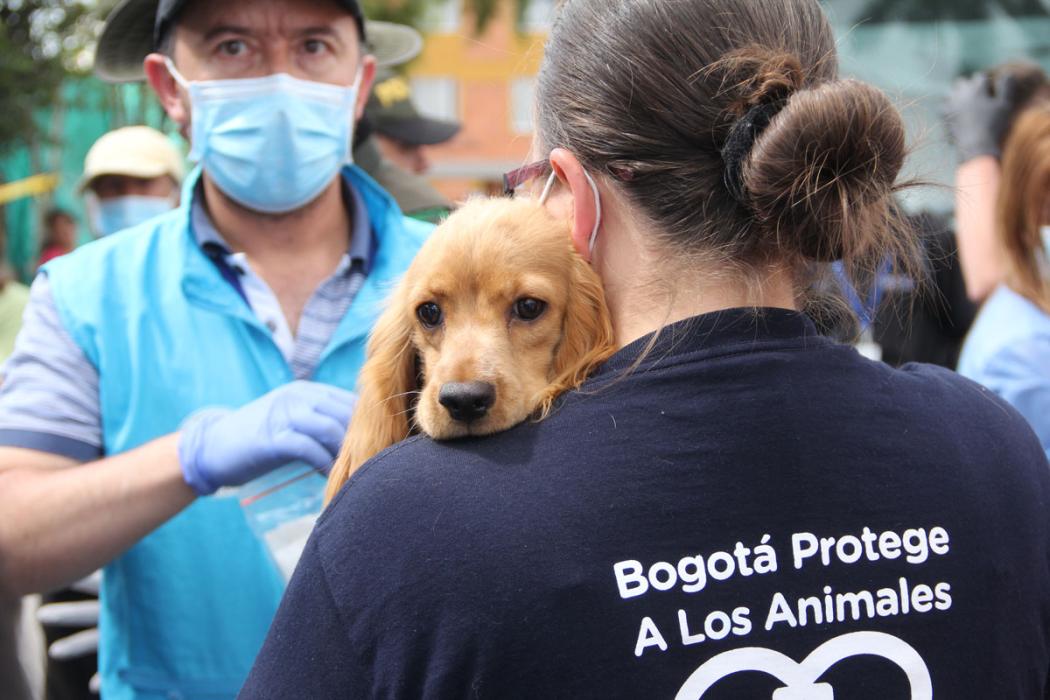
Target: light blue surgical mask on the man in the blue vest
(271,144)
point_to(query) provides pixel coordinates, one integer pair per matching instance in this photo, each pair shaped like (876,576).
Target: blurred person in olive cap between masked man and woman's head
(392,149)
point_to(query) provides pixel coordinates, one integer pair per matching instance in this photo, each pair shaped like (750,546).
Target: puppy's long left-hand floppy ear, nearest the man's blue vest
(387,386)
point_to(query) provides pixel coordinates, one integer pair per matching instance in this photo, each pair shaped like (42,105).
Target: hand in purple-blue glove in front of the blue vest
(299,422)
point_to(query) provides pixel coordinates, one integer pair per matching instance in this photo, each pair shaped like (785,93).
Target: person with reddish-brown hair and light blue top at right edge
(1009,350)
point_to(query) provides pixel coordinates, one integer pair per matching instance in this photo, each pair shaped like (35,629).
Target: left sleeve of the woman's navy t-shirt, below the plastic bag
(307,653)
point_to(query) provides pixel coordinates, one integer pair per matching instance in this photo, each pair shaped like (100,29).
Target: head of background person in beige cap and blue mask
(131,176)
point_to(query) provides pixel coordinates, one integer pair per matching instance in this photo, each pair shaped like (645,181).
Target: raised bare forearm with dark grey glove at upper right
(980,113)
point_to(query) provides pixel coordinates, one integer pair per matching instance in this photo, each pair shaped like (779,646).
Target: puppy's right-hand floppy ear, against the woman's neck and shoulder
(587,336)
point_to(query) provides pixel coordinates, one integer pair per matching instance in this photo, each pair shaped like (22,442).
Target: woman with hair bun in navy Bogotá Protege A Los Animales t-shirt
(733,506)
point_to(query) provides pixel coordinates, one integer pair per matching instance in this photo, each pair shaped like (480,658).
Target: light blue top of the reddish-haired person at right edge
(1021,375)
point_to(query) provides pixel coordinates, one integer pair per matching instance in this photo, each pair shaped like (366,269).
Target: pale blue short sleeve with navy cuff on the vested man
(50,396)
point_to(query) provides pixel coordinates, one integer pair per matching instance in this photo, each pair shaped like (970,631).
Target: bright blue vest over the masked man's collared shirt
(185,611)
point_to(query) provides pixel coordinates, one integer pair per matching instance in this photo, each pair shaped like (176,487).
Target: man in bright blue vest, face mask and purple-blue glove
(205,348)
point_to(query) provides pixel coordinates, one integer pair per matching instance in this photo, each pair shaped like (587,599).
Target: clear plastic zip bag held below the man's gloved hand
(282,510)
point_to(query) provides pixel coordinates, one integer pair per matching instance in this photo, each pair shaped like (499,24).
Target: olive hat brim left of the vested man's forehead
(127,39)
